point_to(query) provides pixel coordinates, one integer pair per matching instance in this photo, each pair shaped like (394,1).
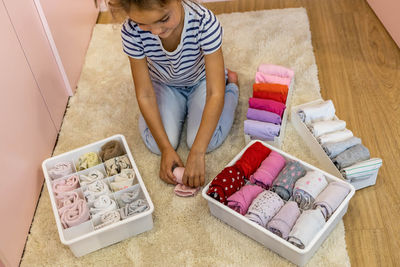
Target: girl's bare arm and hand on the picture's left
(147,101)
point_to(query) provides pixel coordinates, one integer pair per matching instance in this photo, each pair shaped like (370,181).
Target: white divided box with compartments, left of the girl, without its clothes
(86,237)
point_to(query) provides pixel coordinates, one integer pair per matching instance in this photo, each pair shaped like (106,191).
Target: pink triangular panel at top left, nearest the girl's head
(71,23)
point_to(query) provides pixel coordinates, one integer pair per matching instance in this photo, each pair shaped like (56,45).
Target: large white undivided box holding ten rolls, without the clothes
(265,237)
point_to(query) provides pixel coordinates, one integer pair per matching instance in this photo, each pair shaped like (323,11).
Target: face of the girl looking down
(161,21)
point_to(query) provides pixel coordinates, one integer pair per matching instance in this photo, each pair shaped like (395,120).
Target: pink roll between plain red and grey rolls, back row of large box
(268,170)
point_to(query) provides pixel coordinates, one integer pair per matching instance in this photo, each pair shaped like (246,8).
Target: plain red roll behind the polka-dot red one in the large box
(252,158)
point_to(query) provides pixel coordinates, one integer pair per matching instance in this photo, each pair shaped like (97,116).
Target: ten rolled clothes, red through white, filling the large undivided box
(278,194)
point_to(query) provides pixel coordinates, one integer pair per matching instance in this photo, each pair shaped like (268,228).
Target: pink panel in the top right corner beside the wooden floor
(388,11)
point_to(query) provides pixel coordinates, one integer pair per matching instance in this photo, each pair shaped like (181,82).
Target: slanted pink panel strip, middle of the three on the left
(34,42)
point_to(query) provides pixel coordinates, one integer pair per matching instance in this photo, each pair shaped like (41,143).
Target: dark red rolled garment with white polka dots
(227,182)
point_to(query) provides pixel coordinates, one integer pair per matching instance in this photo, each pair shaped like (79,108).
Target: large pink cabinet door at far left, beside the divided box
(27,137)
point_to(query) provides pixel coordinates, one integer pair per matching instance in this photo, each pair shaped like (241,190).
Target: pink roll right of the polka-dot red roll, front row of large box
(241,200)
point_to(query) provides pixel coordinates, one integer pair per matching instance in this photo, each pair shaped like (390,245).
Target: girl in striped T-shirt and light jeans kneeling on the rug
(174,49)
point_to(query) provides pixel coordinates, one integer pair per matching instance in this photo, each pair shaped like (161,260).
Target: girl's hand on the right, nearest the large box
(194,170)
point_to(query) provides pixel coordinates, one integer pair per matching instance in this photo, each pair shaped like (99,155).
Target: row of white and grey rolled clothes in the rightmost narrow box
(344,149)
